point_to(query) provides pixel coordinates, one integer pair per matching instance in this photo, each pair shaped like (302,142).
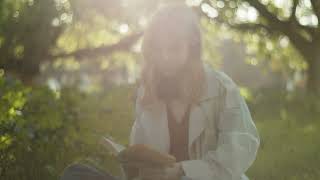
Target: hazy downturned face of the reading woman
(173,57)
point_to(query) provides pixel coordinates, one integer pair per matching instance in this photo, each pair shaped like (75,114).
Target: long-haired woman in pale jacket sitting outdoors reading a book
(188,110)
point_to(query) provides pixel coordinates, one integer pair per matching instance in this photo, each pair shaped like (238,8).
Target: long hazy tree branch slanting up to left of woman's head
(123,45)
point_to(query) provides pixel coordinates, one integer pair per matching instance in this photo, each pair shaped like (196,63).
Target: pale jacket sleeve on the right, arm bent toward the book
(238,142)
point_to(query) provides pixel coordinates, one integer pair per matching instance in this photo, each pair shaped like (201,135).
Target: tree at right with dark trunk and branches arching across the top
(298,20)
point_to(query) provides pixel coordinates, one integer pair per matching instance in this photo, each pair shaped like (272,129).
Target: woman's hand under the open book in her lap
(174,172)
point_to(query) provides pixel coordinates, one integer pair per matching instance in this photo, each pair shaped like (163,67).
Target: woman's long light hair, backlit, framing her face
(176,23)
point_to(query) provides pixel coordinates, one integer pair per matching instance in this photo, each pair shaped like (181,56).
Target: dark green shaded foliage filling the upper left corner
(27,32)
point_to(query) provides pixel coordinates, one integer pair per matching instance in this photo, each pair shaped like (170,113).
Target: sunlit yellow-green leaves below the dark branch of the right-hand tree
(275,52)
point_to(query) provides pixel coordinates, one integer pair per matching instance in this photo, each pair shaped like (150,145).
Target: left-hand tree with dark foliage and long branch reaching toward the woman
(30,32)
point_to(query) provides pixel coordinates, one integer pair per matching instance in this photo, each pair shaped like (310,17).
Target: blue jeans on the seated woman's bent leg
(86,172)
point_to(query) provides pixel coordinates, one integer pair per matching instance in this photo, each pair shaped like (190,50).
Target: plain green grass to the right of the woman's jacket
(290,148)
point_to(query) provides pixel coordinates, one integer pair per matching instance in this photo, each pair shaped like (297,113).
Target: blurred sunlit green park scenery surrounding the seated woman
(69,69)
